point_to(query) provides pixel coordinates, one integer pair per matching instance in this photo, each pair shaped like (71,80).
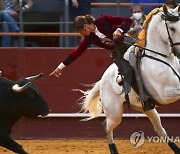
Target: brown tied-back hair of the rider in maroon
(79,21)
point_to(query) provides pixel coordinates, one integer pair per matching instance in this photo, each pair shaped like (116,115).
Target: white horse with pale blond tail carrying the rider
(159,72)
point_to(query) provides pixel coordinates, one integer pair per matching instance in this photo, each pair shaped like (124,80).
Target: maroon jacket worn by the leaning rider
(106,24)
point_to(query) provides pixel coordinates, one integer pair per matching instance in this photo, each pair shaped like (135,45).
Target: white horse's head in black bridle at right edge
(170,29)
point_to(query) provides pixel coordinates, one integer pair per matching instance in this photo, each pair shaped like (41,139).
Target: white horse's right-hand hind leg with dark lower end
(156,121)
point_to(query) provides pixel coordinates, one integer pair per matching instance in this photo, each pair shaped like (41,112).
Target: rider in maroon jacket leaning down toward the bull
(106,32)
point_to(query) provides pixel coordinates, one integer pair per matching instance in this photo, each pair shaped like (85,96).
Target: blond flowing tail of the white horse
(91,101)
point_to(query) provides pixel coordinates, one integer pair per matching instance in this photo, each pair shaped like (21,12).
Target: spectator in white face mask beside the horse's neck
(138,18)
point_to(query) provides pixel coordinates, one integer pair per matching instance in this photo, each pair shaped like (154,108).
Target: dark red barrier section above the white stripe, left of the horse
(15,63)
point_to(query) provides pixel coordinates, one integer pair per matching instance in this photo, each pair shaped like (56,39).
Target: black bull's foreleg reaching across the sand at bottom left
(7,142)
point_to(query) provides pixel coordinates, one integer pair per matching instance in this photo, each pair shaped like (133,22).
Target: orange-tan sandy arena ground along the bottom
(87,147)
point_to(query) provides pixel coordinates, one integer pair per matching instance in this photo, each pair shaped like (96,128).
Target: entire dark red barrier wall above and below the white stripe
(22,62)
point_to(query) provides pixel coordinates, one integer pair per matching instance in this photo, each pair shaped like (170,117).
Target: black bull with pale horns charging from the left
(18,99)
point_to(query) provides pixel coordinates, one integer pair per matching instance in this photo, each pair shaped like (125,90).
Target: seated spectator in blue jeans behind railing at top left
(9,16)
